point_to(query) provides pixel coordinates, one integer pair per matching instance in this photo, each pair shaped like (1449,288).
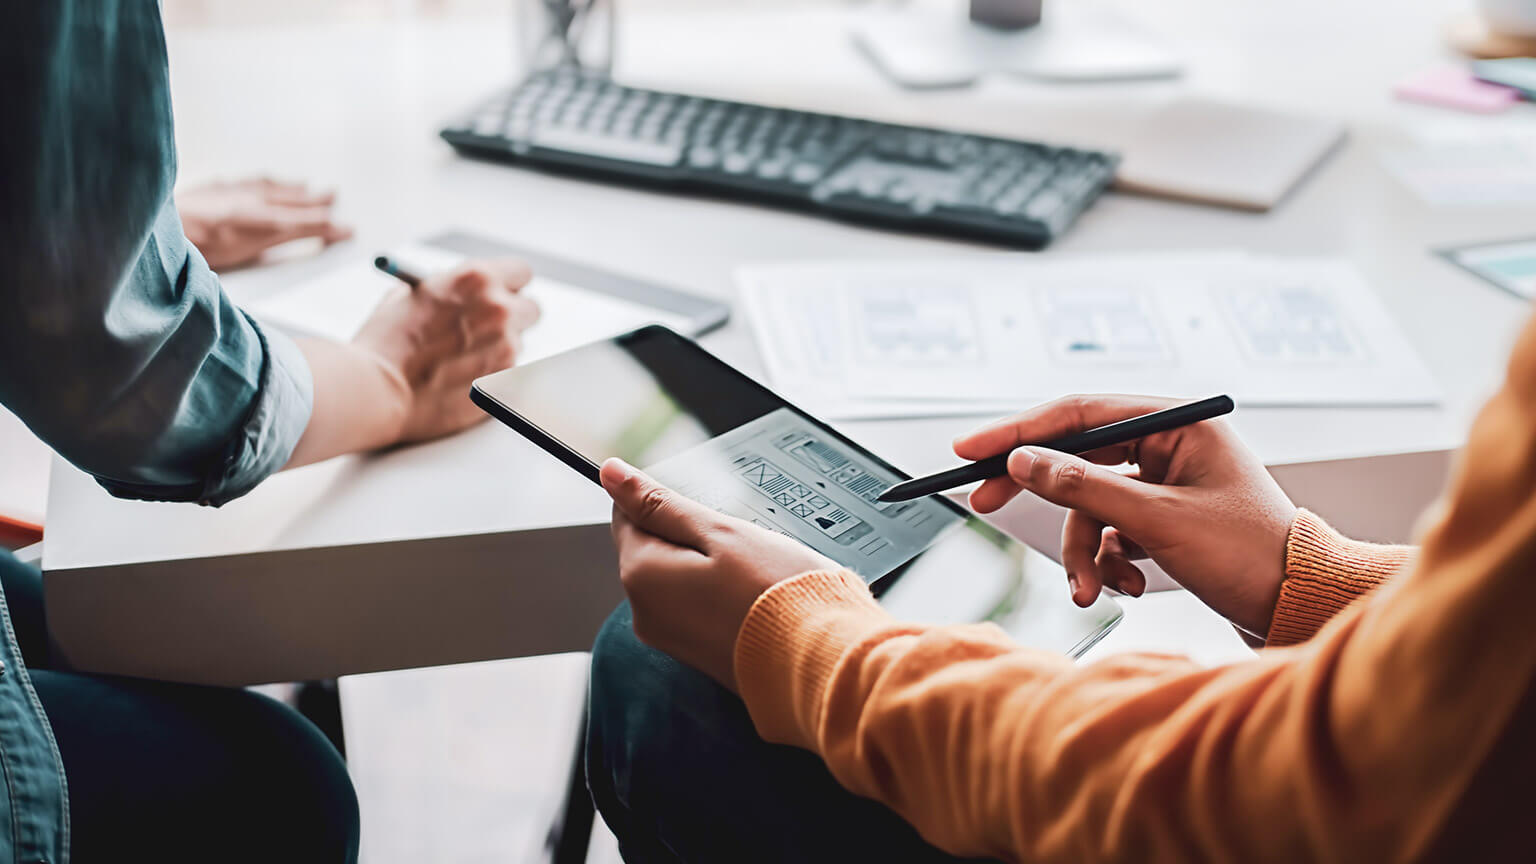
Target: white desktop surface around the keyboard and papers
(357,104)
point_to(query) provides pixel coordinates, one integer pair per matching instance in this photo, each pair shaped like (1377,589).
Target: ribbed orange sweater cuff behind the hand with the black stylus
(1326,573)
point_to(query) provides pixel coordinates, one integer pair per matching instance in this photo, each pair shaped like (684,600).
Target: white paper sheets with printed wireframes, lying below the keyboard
(993,334)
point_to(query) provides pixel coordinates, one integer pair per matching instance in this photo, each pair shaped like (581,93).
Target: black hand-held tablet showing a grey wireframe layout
(694,422)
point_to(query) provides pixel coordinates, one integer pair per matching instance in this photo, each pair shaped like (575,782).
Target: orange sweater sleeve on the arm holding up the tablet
(1394,734)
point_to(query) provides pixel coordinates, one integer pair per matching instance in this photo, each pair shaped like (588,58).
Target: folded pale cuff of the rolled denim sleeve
(277,420)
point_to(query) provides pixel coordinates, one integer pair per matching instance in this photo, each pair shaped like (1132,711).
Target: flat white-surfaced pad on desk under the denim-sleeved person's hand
(578,304)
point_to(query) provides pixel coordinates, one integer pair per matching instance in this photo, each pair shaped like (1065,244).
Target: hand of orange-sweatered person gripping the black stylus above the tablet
(1199,503)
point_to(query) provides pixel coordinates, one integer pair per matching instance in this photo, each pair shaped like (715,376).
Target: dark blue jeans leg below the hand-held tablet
(680,774)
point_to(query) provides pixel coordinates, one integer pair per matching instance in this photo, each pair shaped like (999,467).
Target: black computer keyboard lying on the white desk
(1016,193)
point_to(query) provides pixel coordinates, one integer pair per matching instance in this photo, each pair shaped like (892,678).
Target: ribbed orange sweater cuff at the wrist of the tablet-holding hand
(790,645)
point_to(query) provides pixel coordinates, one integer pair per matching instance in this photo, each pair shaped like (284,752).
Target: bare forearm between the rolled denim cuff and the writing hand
(360,404)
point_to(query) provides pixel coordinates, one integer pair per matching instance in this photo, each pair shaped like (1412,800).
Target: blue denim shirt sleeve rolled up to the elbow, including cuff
(118,344)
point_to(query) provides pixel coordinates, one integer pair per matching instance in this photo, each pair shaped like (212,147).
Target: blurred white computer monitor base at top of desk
(1076,41)
